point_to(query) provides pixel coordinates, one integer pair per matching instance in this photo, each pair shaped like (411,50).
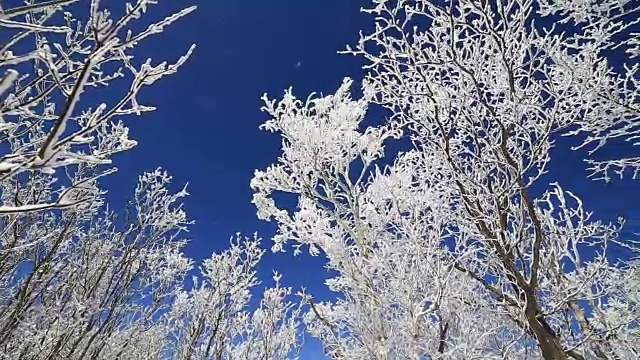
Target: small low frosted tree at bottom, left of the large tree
(212,322)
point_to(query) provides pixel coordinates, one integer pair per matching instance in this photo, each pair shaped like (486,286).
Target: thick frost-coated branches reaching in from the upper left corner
(51,64)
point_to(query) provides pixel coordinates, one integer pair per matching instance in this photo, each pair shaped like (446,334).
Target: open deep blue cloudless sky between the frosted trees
(205,130)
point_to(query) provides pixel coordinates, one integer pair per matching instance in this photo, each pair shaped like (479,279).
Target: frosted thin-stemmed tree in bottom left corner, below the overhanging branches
(97,287)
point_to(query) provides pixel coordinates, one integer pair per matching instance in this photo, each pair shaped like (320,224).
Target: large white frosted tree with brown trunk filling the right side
(458,247)
